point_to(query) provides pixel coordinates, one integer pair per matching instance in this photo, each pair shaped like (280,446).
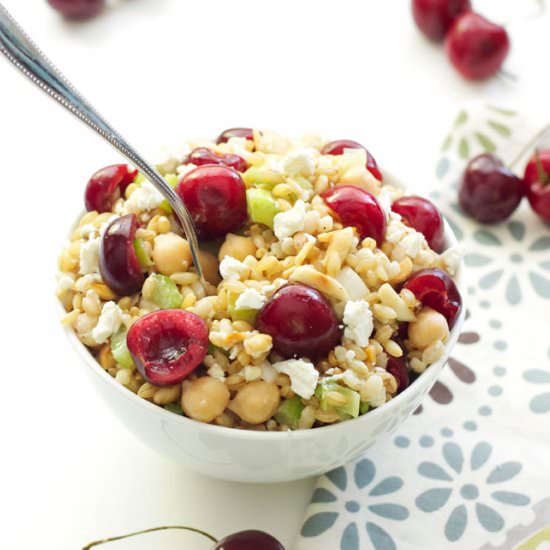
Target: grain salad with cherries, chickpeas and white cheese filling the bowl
(326,291)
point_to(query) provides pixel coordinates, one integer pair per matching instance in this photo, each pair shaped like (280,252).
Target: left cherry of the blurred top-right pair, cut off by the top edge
(435,17)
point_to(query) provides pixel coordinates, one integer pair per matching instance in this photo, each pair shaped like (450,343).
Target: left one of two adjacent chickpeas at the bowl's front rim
(204,399)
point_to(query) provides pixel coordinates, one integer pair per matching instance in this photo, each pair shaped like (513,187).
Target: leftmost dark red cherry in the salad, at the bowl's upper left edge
(106,186)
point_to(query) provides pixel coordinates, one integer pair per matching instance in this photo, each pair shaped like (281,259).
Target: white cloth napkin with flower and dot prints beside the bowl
(471,468)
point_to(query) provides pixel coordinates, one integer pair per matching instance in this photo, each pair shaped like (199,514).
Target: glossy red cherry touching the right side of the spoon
(216,198)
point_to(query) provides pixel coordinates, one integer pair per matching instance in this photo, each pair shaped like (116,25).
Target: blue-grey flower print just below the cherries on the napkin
(516,265)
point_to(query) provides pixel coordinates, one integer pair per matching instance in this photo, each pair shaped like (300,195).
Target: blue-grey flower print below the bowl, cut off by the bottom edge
(371,507)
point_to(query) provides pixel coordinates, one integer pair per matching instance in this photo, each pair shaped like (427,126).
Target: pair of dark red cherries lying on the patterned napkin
(490,192)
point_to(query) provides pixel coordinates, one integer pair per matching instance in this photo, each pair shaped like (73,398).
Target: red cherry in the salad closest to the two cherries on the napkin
(422,215)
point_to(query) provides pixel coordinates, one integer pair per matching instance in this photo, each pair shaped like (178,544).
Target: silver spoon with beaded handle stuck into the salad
(25,56)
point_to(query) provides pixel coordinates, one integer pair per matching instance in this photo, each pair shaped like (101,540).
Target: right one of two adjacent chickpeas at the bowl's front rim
(256,402)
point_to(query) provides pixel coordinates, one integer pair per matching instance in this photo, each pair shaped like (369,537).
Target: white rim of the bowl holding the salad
(188,423)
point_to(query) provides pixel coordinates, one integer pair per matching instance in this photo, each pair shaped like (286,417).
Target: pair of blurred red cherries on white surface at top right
(475,46)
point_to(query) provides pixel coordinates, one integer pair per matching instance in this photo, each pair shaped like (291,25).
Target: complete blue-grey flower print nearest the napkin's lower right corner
(456,476)
